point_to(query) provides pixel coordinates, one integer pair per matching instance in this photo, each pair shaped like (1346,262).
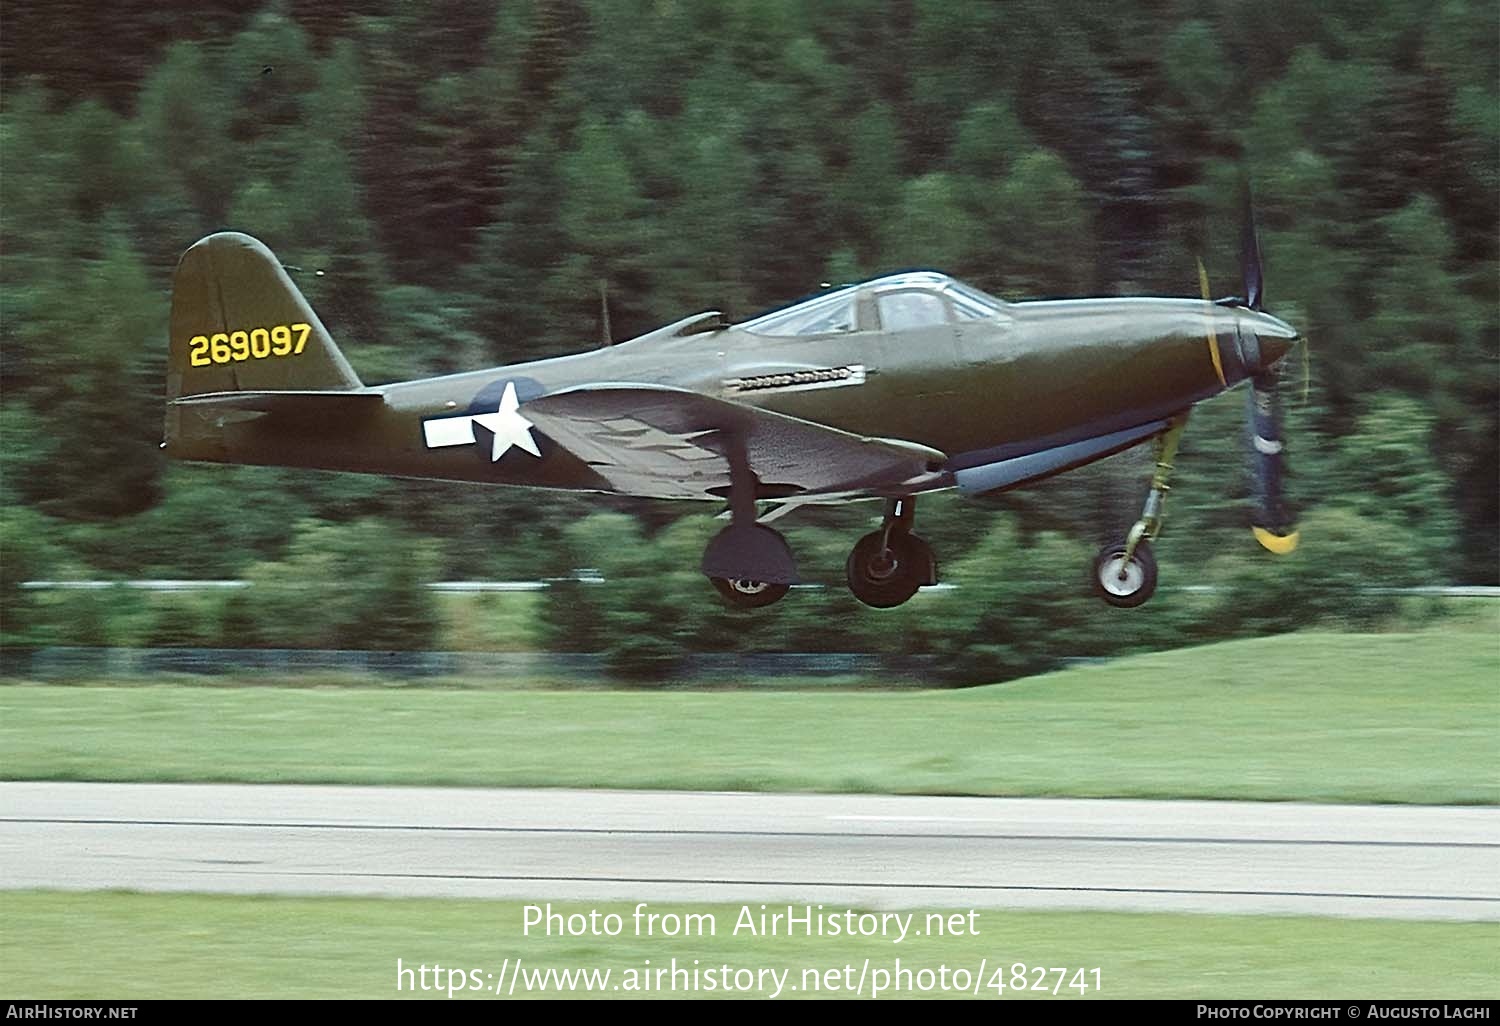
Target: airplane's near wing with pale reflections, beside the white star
(673,443)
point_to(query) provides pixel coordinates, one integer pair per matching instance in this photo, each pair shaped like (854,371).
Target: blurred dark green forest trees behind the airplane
(457,182)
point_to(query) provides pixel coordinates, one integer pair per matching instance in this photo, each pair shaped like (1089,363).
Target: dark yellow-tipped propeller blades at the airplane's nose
(1271,521)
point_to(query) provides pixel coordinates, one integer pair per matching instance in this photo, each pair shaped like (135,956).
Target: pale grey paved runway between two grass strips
(686,847)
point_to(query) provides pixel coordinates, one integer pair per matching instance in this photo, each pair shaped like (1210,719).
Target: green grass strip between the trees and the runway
(1318,718)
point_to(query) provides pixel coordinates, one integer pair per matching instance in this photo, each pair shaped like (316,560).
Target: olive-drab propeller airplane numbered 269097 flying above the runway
(880,391)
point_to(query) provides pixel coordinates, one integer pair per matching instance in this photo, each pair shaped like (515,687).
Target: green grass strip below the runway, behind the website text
(137,946)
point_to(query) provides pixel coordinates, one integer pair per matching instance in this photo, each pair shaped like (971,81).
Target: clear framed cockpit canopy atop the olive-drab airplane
(892,304)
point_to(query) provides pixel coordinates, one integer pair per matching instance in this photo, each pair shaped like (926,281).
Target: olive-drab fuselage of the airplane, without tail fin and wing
(1022,379)
